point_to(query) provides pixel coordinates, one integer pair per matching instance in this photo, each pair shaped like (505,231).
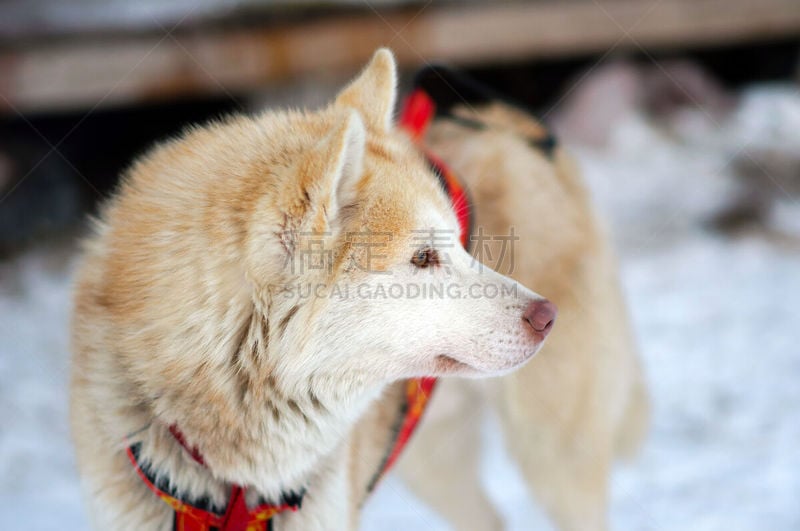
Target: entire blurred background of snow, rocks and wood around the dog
(683,114)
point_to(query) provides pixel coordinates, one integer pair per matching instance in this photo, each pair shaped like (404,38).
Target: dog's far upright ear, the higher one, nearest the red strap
(374,92)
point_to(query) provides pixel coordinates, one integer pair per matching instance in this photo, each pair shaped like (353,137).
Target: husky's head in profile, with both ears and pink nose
(356,258)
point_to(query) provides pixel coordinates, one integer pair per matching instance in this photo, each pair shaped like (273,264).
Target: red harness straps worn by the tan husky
(417,114)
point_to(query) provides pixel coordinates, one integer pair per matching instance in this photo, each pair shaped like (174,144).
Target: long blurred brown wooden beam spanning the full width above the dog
(92,72)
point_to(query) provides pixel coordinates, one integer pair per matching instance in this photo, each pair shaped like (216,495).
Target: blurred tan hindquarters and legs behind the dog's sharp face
(582,401)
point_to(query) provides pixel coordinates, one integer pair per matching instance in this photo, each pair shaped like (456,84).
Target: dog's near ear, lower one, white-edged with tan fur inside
(335,165)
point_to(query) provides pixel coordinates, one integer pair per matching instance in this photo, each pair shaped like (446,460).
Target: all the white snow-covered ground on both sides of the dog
(716,318)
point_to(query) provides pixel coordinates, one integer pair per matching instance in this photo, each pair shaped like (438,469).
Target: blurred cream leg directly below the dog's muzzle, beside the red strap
(442,462)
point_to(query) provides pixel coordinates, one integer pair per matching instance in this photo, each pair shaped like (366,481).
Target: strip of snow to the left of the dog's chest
(38,483)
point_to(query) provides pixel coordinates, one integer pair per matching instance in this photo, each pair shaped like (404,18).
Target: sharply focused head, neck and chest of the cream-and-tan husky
(234,312)
